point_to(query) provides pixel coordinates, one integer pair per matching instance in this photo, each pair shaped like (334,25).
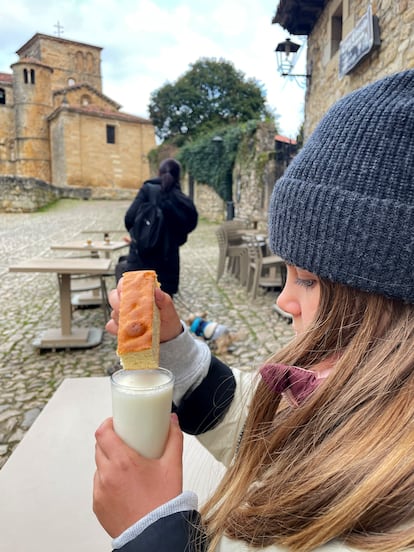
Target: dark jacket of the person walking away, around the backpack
(180,216)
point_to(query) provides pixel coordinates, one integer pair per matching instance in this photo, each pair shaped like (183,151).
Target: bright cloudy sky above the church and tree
(147,43)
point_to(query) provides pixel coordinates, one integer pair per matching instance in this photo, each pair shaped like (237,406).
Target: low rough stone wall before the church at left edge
(22,195)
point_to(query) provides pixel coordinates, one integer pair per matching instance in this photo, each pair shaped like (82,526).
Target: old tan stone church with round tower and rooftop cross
(56,124)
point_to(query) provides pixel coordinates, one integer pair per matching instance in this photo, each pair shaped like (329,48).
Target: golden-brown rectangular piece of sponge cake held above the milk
(139,324)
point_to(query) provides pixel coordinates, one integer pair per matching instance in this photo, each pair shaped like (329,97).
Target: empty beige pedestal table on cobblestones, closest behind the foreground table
(66,336)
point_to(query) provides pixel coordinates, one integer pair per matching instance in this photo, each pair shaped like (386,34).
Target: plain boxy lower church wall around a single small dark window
(81,155)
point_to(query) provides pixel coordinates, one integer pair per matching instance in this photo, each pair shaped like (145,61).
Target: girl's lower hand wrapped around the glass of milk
(128,486)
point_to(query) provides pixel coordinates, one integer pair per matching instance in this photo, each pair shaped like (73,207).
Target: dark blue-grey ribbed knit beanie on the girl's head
(344,208)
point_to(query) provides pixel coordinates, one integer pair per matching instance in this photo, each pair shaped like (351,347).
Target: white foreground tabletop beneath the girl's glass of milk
(46,485)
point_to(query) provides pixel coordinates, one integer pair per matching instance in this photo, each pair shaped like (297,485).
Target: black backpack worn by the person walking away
(148,231)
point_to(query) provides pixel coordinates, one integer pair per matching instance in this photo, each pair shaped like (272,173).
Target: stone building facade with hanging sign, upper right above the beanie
(350,43)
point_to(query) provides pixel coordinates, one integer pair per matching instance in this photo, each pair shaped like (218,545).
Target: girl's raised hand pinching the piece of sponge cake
(170,321)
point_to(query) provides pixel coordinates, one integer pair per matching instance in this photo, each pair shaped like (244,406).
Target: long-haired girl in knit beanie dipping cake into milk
(320,444)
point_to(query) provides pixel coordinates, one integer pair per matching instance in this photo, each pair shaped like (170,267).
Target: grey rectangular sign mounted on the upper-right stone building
(358,43)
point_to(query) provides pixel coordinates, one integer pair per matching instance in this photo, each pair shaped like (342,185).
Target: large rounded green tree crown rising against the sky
(211,93)
